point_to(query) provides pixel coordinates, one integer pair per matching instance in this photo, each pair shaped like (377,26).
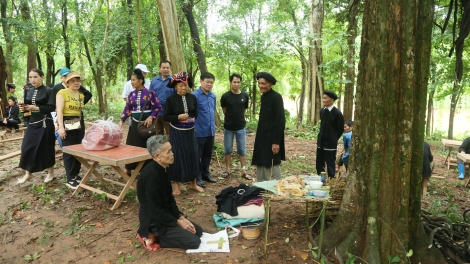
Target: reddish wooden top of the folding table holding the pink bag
(118,156)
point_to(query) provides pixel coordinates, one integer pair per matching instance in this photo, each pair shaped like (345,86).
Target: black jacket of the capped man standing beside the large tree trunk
(331,128)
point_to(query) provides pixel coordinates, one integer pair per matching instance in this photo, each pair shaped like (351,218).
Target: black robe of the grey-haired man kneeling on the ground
(157,204)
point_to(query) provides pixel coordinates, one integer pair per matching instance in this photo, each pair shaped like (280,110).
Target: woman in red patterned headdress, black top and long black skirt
(181,111)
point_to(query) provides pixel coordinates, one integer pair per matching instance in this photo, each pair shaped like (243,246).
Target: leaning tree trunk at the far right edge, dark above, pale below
(457,90)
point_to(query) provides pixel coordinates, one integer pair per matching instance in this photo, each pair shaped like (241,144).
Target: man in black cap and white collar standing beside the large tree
(331,129)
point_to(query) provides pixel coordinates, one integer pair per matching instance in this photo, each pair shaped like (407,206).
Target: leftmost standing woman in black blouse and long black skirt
(38,147)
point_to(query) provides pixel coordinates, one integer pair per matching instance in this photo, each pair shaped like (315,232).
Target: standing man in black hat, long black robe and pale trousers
(269,147)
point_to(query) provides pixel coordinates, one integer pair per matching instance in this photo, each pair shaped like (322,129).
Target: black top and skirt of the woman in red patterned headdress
(182,137)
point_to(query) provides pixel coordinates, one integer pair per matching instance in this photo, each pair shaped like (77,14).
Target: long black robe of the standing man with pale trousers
(271,125)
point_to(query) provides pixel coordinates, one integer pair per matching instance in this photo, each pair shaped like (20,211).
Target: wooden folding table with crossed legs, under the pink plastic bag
(115,157)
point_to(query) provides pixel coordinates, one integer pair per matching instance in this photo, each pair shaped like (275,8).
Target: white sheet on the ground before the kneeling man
(210,242)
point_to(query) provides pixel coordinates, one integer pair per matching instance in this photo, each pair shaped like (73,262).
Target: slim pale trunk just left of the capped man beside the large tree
(315,18)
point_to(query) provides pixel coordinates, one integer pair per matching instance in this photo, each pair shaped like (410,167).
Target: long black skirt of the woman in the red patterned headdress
(184,144)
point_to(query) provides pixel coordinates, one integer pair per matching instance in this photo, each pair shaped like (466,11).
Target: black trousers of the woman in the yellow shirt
(71,164)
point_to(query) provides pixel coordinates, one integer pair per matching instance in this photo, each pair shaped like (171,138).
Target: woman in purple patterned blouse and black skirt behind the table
(140,100)
